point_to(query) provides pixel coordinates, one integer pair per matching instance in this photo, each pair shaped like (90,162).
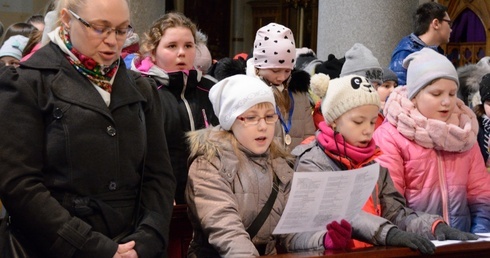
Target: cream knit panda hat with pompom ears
(343,94)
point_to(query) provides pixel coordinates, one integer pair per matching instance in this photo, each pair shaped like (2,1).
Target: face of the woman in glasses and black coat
(104,48)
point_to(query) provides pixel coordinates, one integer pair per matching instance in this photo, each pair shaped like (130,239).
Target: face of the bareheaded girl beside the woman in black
(176,50)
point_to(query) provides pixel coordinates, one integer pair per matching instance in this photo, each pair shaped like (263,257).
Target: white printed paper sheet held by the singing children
(318,198)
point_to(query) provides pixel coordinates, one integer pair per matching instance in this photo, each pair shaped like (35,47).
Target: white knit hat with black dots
(274,47)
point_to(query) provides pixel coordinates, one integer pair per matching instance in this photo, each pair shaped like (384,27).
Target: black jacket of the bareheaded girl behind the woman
(183,100)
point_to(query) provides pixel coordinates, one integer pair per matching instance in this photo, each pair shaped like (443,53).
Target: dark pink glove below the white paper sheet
(338,235)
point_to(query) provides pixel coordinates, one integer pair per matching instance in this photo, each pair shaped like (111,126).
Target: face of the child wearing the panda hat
(357,125)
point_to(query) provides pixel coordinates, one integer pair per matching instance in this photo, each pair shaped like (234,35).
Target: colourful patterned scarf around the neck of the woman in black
(98,74)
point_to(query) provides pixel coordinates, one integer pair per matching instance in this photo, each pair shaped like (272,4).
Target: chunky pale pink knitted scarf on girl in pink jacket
(458,136)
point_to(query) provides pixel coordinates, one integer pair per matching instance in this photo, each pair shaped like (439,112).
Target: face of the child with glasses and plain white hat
(256,137)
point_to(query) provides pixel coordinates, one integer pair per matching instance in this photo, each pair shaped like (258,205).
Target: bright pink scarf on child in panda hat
(347,154)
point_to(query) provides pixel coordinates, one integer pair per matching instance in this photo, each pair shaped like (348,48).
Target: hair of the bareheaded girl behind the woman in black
(157,30)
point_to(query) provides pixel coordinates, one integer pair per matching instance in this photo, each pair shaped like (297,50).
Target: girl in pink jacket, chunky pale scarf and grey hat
(429,145)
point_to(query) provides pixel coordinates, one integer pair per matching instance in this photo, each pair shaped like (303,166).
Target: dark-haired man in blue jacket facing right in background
(432,28)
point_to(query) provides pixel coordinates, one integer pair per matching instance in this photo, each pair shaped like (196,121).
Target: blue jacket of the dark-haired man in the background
(405,47)
